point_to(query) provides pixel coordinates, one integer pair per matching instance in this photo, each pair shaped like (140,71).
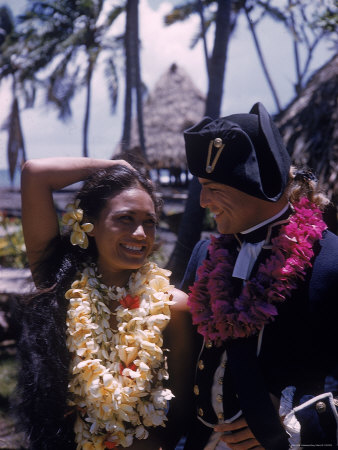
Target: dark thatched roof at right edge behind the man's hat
(310,127)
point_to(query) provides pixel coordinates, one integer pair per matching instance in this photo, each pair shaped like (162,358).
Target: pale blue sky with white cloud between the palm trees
(244,84)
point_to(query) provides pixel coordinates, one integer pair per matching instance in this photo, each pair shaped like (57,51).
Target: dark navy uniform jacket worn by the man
(299,348)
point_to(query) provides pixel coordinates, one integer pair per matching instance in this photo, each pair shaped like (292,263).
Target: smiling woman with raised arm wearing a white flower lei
(93,364)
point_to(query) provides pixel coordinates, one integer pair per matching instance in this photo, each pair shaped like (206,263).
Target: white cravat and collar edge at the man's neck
(249,252)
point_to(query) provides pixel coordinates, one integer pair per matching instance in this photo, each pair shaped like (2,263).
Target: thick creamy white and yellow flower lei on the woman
(116,376)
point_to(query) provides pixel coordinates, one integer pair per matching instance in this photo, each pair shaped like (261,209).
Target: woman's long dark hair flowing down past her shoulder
(42,352)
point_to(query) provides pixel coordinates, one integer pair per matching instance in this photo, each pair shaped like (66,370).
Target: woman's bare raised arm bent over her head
(40,177)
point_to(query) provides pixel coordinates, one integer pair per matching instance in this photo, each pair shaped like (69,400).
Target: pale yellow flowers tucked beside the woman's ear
(73,217)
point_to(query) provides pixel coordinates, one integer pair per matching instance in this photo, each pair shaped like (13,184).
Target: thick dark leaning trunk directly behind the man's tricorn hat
(192,220)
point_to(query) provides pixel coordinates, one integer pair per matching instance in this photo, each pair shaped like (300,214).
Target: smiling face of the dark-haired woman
(124,233)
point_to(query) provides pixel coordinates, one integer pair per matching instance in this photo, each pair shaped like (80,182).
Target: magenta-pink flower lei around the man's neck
(218,314)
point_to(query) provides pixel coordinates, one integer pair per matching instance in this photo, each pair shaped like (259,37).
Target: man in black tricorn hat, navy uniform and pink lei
(264,295)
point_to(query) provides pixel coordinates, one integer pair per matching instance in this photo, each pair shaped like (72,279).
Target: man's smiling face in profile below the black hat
(234,210)
